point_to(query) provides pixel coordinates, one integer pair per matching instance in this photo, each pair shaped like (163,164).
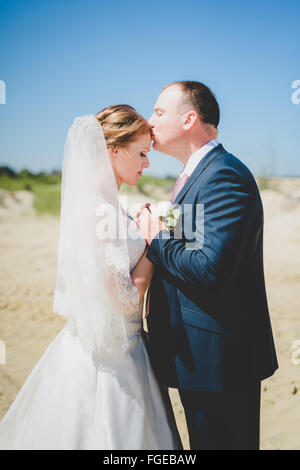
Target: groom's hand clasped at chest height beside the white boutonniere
(149,223)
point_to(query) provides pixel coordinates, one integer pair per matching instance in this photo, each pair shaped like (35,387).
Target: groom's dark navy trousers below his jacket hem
(228,420)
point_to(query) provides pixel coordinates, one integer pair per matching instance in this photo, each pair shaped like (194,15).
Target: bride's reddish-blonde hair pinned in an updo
(121,125)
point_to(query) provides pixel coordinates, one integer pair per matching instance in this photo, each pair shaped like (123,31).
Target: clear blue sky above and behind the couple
(61,59)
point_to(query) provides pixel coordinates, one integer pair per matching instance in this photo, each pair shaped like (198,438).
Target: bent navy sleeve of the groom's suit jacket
(226,200)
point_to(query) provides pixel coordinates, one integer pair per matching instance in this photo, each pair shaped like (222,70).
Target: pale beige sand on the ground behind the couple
(28,246)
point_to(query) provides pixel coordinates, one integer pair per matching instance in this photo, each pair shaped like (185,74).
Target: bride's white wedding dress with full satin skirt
(66,403)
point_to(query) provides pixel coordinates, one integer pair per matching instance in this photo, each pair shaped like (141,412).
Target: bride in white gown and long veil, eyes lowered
(94,387)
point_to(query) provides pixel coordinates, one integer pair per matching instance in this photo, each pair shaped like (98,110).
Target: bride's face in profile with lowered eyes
(131,161)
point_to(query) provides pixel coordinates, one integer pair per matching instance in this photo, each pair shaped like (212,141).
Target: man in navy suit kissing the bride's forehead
(209,327)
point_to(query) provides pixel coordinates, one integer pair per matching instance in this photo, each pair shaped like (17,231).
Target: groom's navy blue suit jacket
(208,325)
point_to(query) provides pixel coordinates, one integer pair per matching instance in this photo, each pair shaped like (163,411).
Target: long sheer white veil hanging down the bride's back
(93,264)
